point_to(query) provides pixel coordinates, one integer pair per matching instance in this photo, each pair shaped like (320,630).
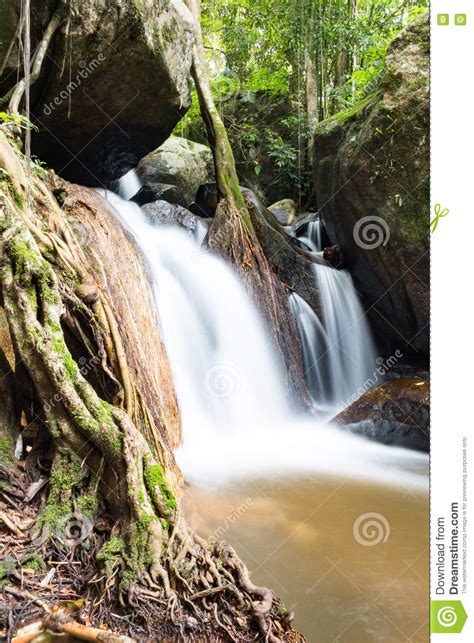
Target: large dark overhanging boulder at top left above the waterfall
(113,86)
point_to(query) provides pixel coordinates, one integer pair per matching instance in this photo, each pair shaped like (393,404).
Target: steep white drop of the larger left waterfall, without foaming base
(227,376)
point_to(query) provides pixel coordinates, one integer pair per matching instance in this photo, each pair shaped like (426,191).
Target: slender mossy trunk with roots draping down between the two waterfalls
(232,233)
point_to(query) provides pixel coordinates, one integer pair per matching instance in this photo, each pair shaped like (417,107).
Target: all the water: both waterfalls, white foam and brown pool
(335,524)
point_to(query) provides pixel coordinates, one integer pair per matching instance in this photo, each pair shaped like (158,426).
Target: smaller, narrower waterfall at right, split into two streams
(338,351)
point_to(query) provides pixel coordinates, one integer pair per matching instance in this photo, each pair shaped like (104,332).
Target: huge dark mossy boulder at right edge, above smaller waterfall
(371,164)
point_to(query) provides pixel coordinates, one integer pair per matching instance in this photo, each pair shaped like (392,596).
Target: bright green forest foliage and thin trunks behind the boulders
(279,67)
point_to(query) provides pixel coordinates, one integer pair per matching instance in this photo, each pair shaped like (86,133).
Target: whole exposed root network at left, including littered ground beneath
(92,528)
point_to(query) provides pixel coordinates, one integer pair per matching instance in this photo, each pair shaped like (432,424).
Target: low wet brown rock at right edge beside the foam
(397,412)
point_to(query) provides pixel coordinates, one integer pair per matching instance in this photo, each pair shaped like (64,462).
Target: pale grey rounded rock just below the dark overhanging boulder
(178,162)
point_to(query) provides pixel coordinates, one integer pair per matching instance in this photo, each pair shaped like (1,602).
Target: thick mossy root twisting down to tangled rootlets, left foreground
(151,559)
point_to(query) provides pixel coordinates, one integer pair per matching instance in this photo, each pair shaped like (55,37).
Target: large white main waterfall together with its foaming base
(236,418)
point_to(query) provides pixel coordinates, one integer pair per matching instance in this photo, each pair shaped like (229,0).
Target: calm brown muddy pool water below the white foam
(350,576)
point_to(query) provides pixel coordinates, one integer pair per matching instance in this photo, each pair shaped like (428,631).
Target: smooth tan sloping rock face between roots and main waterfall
(131,298)
